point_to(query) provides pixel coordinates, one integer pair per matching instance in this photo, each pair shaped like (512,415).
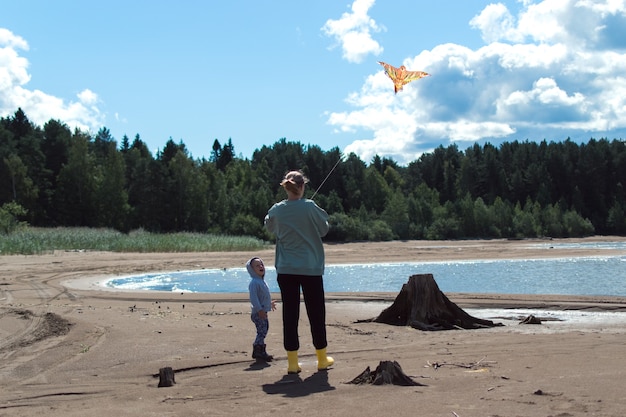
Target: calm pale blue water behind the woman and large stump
(598,275)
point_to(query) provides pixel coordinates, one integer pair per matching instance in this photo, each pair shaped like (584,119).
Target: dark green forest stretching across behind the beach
(52,176)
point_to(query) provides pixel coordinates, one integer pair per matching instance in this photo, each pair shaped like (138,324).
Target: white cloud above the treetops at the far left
(82,113)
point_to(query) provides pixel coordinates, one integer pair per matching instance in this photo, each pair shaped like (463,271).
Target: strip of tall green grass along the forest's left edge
(30,241)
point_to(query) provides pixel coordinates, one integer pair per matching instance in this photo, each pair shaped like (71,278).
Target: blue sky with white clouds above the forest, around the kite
(255,72)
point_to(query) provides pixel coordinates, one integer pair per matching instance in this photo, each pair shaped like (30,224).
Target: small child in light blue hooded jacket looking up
(261,303)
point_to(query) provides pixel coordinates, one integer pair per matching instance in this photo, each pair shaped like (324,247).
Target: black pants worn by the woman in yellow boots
(313,294)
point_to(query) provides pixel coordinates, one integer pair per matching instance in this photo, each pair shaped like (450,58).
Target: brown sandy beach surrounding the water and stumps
(69,347)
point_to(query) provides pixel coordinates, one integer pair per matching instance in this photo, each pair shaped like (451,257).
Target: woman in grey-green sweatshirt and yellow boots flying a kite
(299,225)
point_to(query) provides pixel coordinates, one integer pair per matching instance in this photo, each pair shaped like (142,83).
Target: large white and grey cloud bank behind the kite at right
(540,75)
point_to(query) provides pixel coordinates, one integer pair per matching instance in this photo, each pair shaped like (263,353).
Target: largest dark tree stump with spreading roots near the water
(421,305)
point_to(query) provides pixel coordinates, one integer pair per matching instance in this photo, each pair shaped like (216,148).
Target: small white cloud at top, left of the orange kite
(353,32)
